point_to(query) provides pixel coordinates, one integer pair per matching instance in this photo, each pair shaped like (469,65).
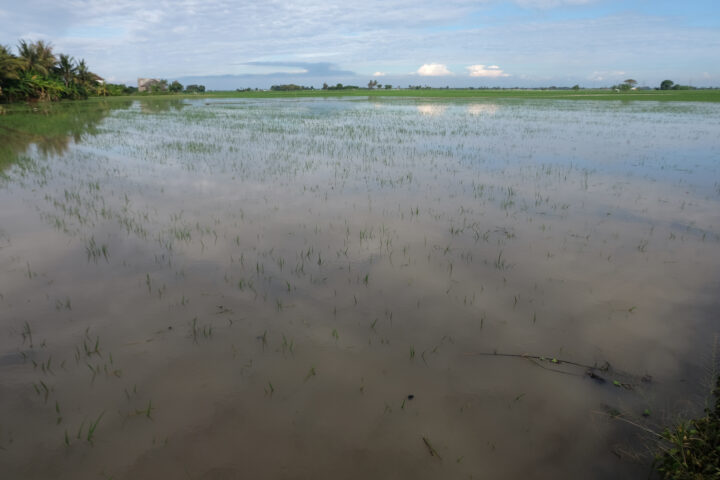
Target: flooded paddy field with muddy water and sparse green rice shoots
(315,288)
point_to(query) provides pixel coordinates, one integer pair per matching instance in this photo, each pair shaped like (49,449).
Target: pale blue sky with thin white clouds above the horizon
(457,43)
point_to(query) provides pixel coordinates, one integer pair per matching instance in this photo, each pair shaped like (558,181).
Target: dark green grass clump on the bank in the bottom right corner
(695,446)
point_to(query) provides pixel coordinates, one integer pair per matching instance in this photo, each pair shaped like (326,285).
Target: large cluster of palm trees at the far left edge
(35,72)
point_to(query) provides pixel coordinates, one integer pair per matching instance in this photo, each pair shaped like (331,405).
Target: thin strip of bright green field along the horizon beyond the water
(655,95)
